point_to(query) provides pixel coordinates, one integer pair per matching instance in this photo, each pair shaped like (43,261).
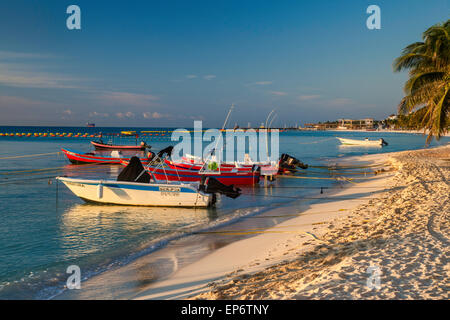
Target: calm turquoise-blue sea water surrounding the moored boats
(44,228)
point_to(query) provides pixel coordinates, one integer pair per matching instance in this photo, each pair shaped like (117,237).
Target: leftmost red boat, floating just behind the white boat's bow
(113,158)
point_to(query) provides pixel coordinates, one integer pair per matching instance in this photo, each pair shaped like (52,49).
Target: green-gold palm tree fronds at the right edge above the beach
(428,87)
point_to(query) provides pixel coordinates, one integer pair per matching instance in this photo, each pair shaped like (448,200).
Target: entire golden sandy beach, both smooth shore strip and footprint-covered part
(385,238)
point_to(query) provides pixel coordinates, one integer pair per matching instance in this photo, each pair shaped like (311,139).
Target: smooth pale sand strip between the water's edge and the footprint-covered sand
(225,267)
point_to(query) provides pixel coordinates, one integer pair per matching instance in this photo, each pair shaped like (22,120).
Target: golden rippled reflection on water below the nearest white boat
(91,228)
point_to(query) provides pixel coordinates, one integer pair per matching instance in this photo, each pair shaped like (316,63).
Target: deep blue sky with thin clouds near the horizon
(168,63)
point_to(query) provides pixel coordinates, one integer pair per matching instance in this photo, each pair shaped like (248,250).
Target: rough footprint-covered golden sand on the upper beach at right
(403,233)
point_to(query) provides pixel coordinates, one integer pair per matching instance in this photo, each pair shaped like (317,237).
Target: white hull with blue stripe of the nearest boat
(137,194)
